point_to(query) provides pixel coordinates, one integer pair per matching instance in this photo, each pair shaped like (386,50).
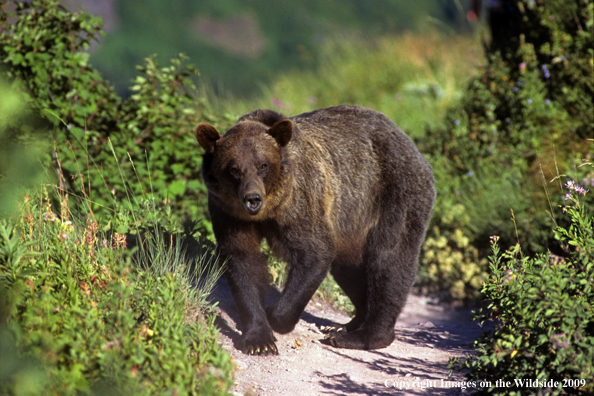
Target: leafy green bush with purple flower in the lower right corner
(543,312)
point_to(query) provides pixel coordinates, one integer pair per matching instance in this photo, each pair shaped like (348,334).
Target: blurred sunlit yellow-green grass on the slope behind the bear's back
(412,78)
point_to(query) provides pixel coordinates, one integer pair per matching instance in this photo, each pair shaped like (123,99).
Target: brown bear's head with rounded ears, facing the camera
(245,167)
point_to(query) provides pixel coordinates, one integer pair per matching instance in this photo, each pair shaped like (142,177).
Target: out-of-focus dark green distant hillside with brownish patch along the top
(240,45)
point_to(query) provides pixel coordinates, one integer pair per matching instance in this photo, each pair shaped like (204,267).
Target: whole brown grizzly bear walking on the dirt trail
(341,189)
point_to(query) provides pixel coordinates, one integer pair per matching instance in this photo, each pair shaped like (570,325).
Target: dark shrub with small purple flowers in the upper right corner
(536,91)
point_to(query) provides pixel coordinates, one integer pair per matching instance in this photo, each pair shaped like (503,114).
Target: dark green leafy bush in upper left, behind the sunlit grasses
(44,55)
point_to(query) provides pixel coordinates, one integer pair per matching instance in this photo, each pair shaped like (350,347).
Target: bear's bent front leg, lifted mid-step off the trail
(308,270)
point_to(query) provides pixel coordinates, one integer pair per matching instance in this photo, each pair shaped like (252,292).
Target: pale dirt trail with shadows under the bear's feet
(427,335)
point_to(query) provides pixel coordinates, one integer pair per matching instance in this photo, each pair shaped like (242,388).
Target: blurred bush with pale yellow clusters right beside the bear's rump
(470,207)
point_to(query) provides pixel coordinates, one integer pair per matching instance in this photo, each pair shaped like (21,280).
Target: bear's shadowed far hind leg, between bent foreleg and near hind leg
(352,279)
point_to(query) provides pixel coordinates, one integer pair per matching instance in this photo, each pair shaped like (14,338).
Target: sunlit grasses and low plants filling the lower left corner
(95,317)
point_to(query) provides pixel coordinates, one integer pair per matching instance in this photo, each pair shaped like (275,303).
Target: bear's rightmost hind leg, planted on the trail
(390,258)
